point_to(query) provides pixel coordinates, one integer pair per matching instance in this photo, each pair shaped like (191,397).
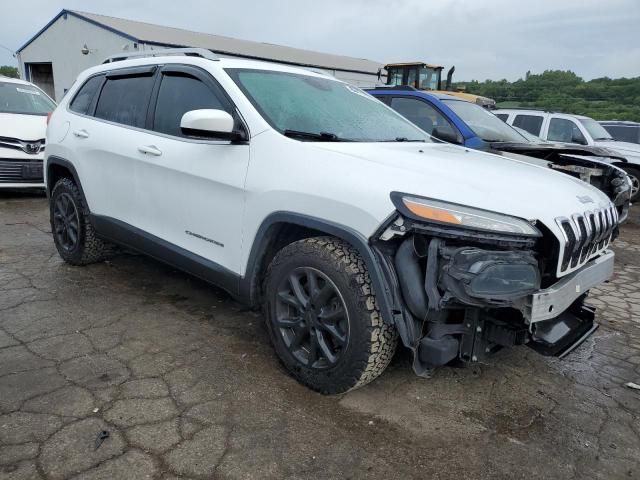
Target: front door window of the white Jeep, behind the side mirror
(179,94)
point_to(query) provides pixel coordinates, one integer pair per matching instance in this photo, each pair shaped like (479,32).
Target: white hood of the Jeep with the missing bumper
(482,180)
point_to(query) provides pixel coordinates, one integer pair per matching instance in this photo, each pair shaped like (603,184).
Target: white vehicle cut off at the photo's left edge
(23,123)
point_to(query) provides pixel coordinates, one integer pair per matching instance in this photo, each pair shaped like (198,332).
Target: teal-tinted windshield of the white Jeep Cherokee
(314,108)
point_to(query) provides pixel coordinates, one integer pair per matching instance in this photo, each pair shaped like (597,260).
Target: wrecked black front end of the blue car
(589,164)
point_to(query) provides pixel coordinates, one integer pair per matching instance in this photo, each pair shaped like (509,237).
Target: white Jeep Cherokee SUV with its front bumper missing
(305,196)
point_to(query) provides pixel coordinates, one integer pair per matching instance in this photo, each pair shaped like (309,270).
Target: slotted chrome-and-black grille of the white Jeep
(585,235)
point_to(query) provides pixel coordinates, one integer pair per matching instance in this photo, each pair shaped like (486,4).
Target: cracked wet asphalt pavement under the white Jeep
(186,384)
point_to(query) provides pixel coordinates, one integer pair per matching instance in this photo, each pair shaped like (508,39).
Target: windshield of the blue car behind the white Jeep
(484,123)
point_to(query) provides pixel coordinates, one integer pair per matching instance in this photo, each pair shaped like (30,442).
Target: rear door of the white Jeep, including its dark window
(104,136)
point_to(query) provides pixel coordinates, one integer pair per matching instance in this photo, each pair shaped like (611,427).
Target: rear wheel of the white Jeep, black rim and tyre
(73,233)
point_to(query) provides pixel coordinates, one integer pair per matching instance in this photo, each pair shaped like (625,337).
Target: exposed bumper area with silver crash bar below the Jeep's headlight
(467,302)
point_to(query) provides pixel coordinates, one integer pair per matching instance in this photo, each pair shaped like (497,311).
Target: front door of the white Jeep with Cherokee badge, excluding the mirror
(191,190)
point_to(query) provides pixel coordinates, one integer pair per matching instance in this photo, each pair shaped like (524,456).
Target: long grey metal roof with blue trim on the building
(149,33)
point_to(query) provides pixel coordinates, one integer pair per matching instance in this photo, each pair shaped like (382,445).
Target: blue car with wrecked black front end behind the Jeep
(457,121)
